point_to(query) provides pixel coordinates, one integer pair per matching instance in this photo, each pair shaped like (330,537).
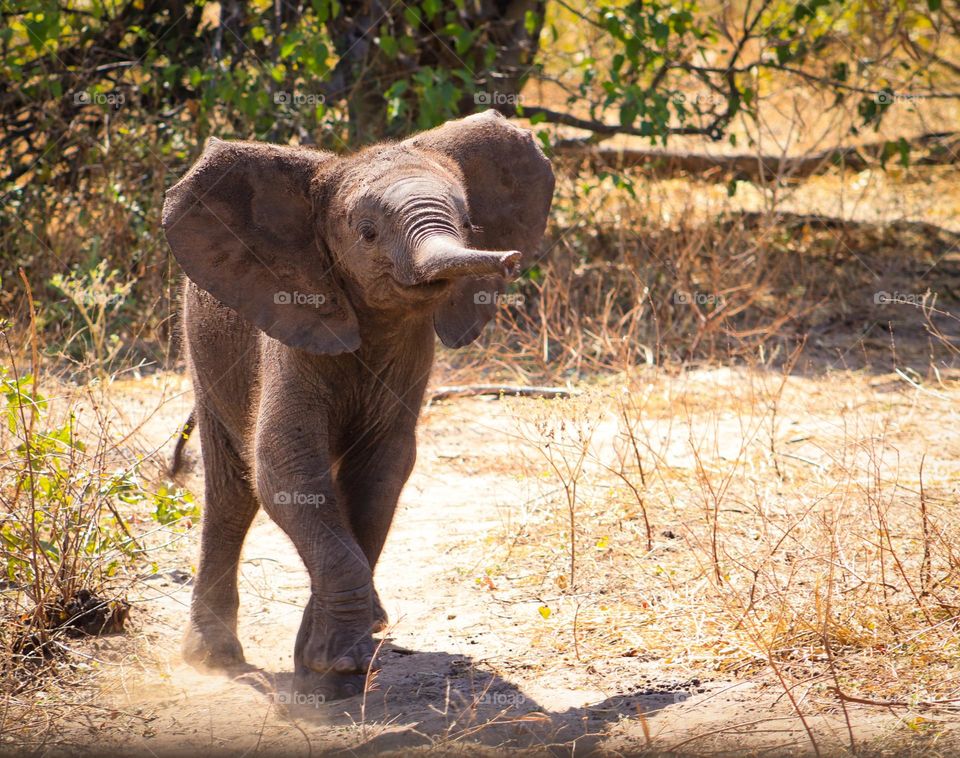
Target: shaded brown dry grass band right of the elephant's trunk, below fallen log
(664,273)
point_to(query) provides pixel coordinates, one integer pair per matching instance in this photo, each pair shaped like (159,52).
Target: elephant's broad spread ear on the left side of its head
(241,224)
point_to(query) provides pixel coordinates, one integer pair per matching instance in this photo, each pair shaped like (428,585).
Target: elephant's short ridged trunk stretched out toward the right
(440,258)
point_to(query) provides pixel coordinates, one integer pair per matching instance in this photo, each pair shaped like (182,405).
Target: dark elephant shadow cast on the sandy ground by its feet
(422,698)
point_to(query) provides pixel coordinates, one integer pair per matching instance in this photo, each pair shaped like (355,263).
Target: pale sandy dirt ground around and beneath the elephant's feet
(458,670)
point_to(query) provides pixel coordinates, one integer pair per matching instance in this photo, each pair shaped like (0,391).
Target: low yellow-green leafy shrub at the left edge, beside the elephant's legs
(62,530)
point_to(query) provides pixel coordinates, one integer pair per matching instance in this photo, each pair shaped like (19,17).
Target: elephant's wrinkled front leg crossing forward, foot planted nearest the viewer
(334,647)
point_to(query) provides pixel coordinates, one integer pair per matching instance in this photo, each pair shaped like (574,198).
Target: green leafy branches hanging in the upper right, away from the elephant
(681,68)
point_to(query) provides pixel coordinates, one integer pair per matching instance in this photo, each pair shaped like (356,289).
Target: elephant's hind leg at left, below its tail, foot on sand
(228,509)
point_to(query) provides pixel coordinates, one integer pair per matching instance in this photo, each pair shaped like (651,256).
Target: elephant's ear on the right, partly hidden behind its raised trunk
(509,189)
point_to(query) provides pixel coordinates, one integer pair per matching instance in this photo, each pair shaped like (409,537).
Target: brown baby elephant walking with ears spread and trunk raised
(316,284)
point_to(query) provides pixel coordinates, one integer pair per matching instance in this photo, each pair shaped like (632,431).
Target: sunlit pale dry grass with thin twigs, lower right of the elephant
(748,523)
